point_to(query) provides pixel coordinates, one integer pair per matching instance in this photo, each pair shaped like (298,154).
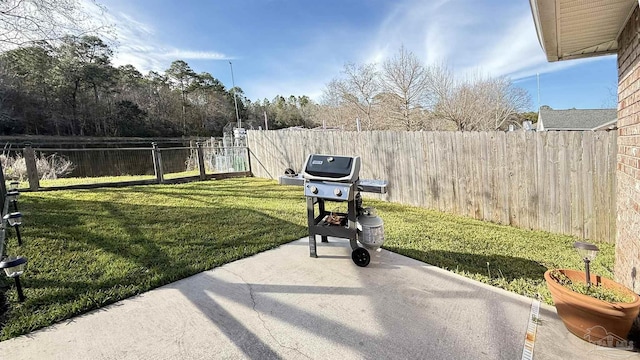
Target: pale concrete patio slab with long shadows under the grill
(284,304)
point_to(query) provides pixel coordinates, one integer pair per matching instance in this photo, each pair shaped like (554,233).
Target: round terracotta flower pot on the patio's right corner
(593,320)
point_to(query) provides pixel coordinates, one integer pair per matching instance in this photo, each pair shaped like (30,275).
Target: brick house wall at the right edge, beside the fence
(628,168)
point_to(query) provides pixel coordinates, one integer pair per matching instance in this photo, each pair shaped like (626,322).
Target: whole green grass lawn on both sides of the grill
(90,248)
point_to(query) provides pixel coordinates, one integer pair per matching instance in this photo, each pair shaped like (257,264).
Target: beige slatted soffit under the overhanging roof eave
(569,29)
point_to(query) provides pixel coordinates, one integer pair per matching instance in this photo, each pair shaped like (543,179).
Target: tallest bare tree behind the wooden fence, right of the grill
(406,84)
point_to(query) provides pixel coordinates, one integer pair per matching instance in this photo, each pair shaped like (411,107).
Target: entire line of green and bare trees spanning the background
(70,87)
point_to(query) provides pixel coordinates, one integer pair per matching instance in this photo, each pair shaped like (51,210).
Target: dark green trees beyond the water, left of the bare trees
(73,89)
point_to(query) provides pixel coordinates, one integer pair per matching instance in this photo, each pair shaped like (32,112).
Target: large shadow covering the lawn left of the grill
(86,254)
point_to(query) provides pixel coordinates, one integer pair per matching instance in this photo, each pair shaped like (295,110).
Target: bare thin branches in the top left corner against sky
(25,22)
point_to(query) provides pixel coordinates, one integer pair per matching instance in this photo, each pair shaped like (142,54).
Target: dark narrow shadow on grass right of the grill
(493,266)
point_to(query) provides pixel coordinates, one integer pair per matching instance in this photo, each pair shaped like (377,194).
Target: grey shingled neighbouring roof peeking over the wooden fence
(577,119)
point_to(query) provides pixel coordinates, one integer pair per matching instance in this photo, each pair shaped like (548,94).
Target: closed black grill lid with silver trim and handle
(332,168)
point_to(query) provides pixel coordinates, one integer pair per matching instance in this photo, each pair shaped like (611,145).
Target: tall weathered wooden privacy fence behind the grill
(562,182)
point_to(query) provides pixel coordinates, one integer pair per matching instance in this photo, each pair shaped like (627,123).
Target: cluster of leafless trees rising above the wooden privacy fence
(404,94)
